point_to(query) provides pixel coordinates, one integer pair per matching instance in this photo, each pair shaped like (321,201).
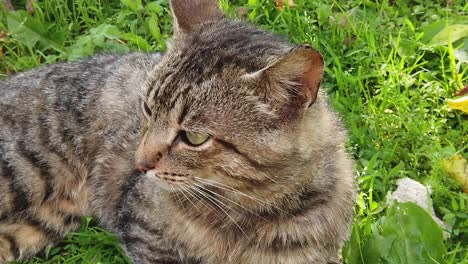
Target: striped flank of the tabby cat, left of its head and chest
(61,126)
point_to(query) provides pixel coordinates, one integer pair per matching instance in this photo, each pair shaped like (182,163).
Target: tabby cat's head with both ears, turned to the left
(227,103)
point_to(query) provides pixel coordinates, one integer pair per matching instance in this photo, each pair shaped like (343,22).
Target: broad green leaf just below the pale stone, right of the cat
(407,234)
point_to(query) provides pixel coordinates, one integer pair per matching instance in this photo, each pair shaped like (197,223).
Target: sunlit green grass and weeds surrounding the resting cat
(386,73)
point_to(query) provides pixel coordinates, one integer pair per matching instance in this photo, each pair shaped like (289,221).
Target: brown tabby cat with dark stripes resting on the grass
(222,150)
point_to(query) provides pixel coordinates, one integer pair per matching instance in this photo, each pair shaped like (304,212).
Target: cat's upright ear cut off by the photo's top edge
(188,14)
